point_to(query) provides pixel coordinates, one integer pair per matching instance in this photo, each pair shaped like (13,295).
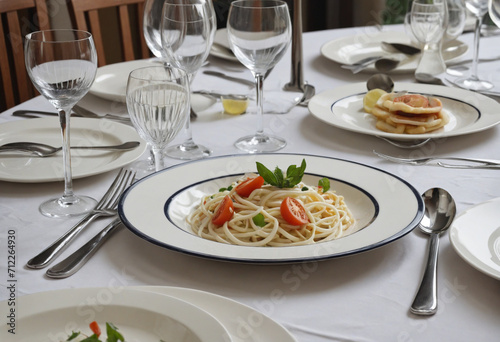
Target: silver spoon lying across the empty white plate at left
(43,150)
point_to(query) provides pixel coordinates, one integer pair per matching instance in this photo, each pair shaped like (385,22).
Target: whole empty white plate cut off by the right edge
(475,236)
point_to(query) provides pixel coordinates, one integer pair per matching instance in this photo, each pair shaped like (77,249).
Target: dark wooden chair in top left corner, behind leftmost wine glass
(17,18)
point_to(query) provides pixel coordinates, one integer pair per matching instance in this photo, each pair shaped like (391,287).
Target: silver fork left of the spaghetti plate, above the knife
(105,208)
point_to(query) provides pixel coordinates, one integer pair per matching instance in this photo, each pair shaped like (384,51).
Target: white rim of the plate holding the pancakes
(319,111)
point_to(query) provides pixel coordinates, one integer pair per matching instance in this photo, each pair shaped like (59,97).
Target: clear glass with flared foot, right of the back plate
(429,20)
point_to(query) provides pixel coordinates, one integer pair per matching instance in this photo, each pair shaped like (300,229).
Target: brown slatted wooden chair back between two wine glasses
(86,16)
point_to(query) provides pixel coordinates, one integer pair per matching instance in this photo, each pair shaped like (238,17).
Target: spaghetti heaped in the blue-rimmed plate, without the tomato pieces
(257,220)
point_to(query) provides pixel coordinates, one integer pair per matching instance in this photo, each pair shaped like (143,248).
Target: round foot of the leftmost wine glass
(61,207)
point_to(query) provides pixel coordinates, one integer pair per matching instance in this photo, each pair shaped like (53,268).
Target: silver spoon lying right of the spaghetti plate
(440,211)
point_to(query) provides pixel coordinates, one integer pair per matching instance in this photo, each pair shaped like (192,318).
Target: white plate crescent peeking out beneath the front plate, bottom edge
(232,315)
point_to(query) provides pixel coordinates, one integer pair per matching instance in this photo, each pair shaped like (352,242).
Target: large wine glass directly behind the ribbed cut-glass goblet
(187,33)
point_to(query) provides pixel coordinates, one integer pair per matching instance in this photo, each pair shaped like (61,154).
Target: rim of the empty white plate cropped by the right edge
(477,264)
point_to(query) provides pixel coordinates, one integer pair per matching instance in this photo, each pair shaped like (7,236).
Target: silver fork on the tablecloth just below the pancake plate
(478,163)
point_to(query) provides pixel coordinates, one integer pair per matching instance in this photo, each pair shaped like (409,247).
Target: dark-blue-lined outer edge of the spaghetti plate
(402,232)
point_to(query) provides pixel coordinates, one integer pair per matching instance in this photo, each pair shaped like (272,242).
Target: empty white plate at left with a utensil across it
(24,168)
